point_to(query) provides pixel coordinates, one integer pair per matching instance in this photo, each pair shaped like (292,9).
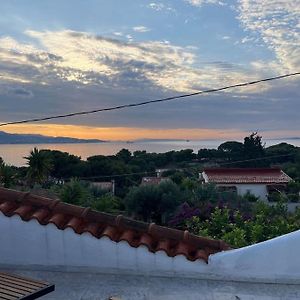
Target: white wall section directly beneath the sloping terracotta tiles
(29,243)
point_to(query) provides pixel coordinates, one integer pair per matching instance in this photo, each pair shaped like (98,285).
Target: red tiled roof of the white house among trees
(246,175)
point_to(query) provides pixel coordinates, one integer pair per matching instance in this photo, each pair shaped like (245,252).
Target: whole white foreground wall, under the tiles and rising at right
(30,245)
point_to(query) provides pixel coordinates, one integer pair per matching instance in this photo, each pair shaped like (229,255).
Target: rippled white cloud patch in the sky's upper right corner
(277,23)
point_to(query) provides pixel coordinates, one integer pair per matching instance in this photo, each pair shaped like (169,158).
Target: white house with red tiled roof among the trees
(257,181)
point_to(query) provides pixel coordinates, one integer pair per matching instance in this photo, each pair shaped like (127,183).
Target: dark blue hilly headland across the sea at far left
(8,138)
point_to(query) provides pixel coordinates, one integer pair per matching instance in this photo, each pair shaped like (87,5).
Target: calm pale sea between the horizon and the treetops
(14,154)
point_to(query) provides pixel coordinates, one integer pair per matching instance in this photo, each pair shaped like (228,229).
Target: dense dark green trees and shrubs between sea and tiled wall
(180,202)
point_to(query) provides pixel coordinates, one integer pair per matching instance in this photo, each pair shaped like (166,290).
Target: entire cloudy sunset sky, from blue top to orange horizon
(63,56)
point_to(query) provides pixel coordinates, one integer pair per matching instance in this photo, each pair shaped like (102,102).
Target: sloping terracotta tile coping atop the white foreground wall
(117,228)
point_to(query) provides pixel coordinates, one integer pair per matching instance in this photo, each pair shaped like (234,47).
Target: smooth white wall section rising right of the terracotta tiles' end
(275,259)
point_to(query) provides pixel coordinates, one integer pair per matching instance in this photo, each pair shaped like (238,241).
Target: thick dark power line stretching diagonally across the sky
(150,101)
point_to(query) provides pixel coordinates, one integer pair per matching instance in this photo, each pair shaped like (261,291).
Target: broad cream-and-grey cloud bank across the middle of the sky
(67,71)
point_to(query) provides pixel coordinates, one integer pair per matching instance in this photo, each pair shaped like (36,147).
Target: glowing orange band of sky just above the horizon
(132,133)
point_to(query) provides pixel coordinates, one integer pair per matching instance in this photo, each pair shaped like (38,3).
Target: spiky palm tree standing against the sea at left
(40,166)
